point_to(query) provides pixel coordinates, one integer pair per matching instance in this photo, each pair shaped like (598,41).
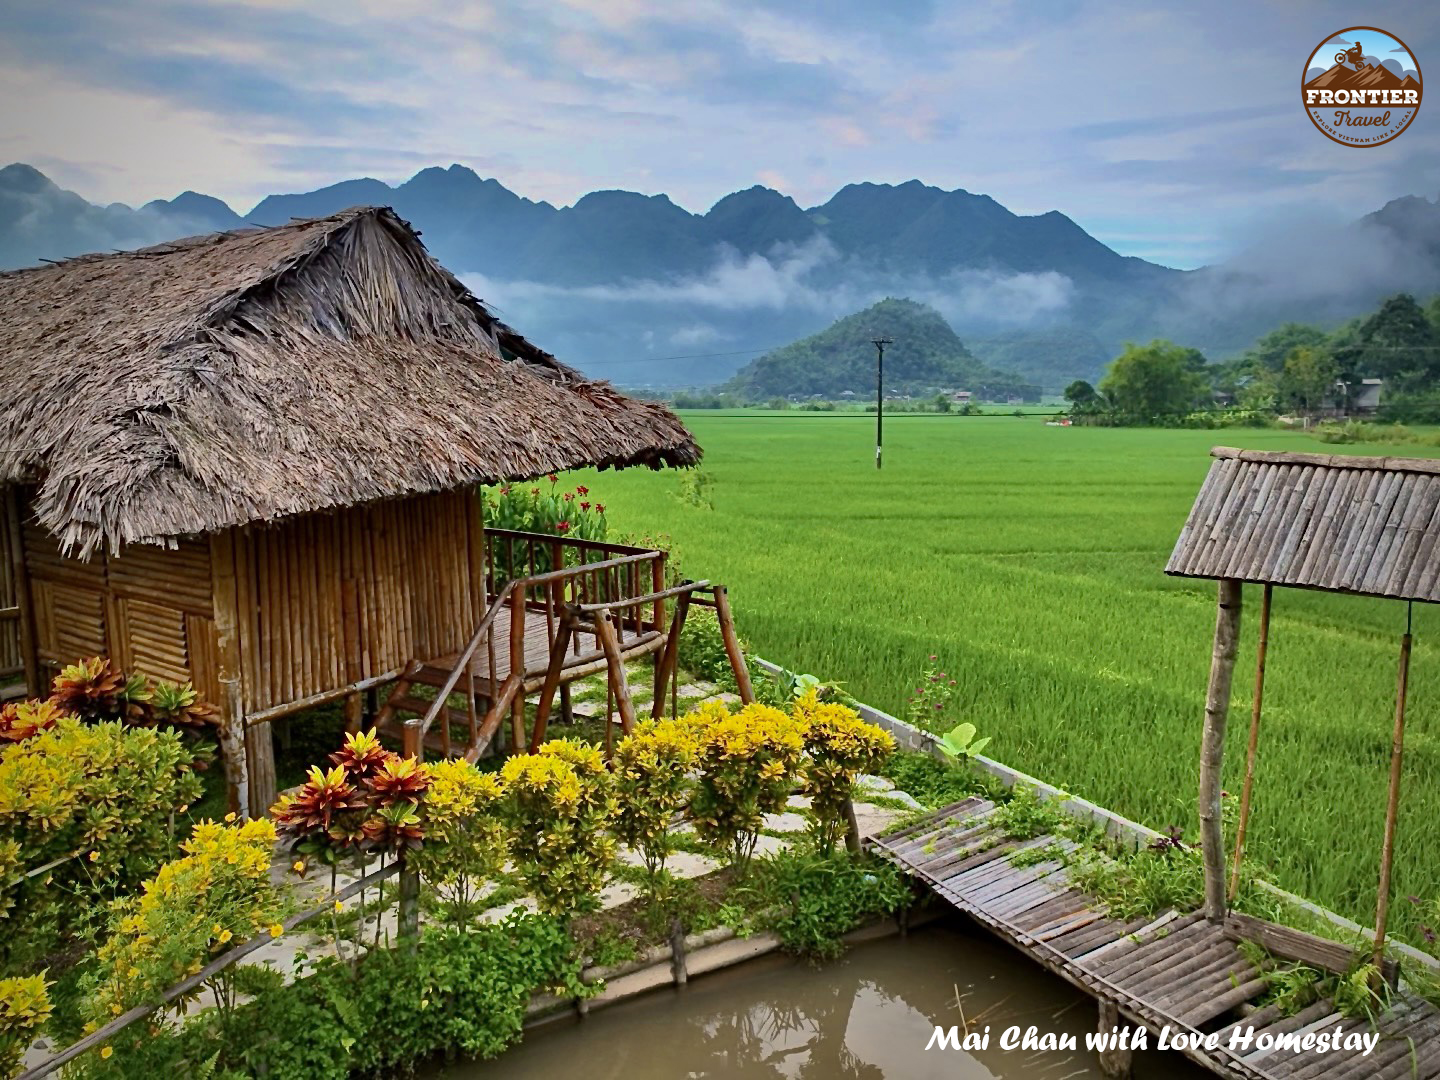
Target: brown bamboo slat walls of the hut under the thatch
(323,601)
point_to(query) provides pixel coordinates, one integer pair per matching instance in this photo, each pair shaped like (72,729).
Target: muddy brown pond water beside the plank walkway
(865,1017)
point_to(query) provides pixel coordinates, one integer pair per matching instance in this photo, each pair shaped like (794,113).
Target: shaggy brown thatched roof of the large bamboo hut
(253,375)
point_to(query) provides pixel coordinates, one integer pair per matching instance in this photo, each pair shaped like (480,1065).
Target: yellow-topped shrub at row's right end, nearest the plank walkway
(839,748)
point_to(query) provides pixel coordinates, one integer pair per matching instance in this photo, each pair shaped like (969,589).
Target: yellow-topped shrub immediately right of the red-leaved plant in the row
(466,839)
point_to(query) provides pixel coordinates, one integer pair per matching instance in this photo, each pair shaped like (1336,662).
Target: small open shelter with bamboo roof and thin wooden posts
(1344,525)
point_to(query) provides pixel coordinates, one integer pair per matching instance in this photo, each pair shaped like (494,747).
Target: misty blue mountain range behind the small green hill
(646,293)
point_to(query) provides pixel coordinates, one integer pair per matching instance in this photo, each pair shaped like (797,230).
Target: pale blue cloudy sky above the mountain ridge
(1174,135)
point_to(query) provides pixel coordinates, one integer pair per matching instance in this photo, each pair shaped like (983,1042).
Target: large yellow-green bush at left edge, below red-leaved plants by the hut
(102,791)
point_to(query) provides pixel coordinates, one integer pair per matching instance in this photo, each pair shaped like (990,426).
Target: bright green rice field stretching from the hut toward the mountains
(1030,559)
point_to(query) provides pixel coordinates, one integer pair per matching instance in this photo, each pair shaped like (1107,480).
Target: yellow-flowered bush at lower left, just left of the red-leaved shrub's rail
(194,909)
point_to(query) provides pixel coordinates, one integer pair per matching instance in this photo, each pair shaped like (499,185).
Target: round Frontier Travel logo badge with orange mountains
(1362,87)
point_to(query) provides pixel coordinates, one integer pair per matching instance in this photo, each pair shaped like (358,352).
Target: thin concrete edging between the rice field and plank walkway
(911,738)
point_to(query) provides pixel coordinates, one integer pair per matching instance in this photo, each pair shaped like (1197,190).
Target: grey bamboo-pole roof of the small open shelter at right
(1349,525)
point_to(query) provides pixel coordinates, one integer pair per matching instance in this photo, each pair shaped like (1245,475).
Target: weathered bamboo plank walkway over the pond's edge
(1176,971)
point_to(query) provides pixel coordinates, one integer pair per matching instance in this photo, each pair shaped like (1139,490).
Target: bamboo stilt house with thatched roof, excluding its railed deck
(250,460)
